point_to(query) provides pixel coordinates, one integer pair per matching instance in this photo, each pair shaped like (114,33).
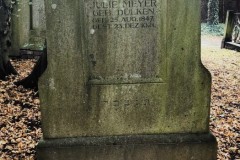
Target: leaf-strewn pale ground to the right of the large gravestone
(224,66)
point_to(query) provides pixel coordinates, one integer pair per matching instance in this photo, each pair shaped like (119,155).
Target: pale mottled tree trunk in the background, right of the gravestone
(213,12)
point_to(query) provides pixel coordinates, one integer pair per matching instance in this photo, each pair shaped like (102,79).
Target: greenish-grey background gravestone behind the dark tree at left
(28,26)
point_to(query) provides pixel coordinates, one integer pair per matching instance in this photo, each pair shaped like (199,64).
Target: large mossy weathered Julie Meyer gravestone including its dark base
(125,81)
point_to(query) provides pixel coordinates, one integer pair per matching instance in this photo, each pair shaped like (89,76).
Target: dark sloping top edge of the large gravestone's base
(130,139)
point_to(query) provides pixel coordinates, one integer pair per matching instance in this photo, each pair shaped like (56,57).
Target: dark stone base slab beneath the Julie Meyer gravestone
(135,147)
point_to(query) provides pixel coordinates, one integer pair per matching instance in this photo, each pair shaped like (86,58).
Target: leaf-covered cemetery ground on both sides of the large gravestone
(20,118)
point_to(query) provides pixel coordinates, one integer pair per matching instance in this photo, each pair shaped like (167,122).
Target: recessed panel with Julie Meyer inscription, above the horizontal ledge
(126,40)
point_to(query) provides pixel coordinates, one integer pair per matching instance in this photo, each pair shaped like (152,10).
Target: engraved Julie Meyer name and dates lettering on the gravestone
(115,14)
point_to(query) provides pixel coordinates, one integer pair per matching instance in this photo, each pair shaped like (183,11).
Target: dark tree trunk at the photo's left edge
(5,39)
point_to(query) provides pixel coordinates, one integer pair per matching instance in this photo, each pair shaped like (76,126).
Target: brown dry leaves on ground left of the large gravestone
(19,117)
